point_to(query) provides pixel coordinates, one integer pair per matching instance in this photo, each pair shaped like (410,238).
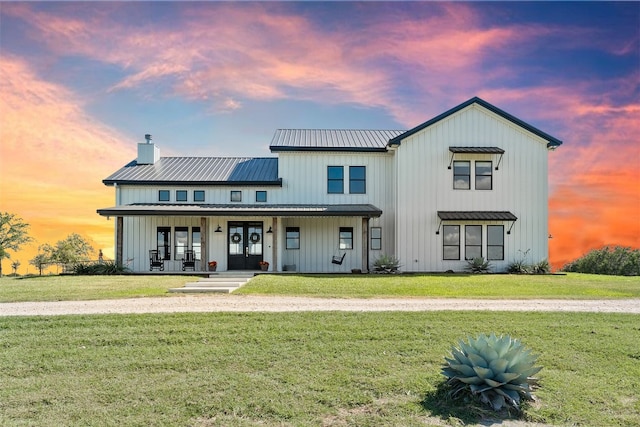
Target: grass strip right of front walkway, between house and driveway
(570,286)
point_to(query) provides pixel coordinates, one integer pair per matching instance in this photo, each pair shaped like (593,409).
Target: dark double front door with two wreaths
(245,245)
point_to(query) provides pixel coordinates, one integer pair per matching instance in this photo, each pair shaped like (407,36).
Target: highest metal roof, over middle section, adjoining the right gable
(332,139)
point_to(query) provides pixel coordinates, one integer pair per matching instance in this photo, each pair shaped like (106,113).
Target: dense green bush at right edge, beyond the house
(612,260)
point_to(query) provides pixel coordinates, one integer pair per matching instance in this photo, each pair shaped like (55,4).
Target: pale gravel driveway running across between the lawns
(241,303)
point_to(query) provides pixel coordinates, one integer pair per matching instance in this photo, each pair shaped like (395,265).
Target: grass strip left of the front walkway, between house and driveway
(64,288)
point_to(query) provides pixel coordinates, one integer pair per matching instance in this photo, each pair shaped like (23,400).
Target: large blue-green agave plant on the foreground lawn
(499,370)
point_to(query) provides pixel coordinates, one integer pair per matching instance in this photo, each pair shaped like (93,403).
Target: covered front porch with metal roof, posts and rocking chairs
(276,238)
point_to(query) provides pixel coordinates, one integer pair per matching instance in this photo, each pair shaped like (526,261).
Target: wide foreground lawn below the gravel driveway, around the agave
(301,369)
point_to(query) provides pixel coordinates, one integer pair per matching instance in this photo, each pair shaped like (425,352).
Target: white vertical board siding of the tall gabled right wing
(425,186)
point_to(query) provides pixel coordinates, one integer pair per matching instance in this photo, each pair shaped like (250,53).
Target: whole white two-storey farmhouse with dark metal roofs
(471,182)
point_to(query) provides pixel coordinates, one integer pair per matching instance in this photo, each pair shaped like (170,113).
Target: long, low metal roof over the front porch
(283,210)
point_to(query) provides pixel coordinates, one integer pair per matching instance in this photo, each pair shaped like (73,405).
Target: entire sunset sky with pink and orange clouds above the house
(81,83)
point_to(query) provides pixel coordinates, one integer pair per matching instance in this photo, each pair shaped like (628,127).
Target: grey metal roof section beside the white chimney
(200,170)
